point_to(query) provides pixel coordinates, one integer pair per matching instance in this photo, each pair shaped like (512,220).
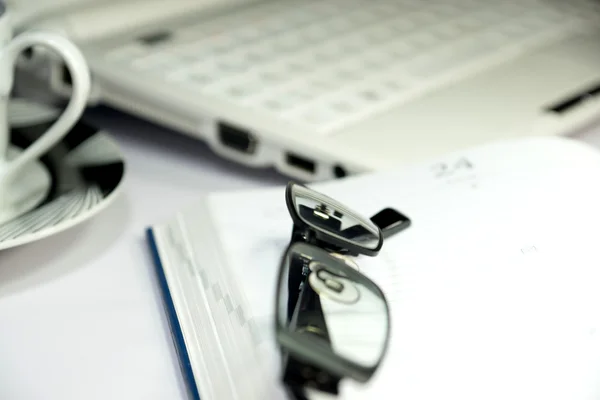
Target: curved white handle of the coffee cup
(81,85)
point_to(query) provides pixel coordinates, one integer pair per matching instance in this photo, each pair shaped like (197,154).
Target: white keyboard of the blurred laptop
(326,64)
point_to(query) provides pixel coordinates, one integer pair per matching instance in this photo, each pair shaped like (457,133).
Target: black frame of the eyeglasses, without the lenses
(298,351)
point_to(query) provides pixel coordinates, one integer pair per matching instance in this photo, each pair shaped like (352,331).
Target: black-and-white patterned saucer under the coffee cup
(77,179)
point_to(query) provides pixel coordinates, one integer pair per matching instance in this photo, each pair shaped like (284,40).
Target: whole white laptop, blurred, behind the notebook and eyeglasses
(320,89)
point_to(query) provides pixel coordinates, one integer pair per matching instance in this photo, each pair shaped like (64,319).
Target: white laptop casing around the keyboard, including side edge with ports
(507,100)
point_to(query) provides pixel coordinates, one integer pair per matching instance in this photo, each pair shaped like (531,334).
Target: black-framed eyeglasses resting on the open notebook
(332,322)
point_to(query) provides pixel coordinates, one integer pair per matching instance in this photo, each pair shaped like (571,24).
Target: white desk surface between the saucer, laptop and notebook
(81,315)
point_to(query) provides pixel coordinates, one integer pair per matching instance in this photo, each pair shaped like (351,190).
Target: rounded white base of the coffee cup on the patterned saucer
(30,188)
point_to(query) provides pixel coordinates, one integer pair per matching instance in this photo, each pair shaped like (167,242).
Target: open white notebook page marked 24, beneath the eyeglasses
(449,269)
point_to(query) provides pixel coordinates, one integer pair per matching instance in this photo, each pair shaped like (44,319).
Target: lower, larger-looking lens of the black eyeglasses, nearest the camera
(335,313)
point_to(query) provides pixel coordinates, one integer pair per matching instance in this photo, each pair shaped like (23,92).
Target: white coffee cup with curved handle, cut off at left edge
(23,180)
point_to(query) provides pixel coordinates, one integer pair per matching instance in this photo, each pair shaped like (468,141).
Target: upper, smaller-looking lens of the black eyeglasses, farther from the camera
(327,215)
